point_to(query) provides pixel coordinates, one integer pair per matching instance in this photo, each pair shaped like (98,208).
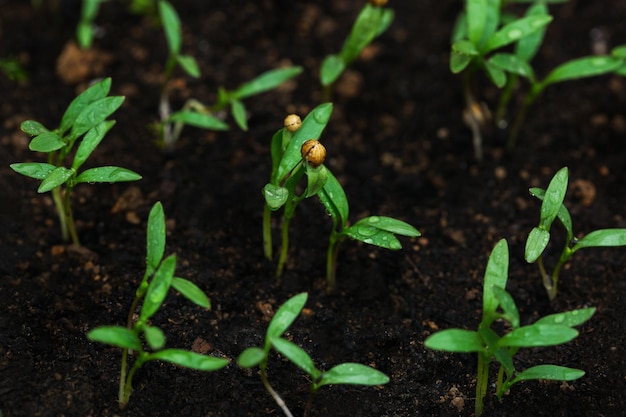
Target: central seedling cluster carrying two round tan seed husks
(295,154)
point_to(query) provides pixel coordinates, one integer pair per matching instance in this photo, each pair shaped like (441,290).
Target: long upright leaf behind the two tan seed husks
(312,128)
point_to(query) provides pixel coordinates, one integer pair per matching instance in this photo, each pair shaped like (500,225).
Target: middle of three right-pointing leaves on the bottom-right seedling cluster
(537,335)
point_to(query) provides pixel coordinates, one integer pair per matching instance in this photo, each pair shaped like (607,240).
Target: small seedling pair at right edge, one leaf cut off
(552,207)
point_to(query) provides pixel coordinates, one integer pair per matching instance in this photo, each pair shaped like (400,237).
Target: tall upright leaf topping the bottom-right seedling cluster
(496,275)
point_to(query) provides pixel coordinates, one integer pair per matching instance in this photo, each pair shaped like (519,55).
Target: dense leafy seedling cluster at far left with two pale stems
(84,121)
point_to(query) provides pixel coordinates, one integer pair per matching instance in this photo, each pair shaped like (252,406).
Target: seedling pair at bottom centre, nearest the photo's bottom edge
(345,373)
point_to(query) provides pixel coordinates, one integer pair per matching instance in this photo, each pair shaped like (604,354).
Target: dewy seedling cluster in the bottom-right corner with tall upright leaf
(498,305)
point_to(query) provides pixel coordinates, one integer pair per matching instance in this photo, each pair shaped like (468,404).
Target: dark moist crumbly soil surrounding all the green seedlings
(397,143)
